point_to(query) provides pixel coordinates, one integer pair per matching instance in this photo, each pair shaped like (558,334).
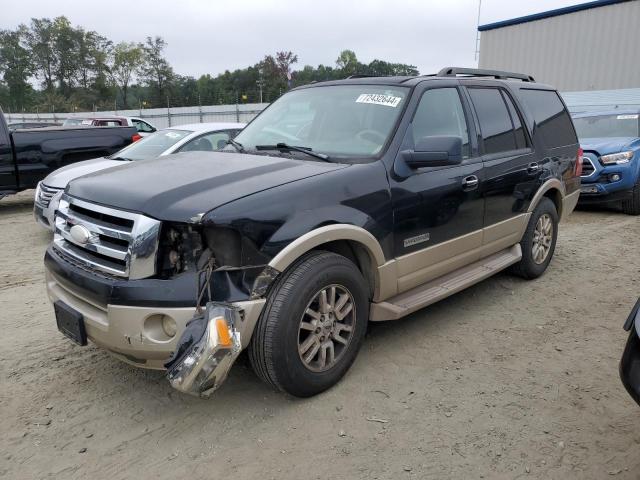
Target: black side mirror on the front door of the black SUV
(435,151)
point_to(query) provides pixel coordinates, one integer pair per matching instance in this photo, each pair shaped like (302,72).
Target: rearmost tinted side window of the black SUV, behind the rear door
(552,119)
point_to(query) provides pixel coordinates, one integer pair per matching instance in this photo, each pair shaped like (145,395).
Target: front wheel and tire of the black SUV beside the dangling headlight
(284,326)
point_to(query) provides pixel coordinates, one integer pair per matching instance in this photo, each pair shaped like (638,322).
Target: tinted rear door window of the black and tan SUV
(495,122)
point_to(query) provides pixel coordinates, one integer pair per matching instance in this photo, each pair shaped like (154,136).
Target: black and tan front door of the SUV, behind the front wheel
(438,211)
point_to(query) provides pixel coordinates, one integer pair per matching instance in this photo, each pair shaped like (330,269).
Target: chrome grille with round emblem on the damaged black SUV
(106,240)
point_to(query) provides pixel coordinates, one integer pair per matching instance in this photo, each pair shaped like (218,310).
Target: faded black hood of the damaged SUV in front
(178,187)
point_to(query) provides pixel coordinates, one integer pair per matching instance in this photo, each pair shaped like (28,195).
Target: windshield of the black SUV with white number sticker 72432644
(339,120)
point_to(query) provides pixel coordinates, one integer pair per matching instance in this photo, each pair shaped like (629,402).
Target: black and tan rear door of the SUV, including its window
(510,167)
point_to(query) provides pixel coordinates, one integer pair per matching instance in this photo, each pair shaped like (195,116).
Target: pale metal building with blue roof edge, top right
(590,46)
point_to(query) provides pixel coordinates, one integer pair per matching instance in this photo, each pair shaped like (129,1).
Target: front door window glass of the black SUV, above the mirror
(440,112)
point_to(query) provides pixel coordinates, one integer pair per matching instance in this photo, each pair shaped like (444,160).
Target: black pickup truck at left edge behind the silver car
(29,155)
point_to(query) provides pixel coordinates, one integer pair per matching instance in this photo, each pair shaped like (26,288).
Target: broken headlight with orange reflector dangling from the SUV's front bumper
(206,350)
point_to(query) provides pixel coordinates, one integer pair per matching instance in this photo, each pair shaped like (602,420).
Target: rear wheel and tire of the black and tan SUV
(533,264)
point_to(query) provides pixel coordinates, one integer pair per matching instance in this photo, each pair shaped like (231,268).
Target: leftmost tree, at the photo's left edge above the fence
(15,66)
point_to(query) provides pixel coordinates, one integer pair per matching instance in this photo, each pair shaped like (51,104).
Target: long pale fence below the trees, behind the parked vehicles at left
(159,117)
